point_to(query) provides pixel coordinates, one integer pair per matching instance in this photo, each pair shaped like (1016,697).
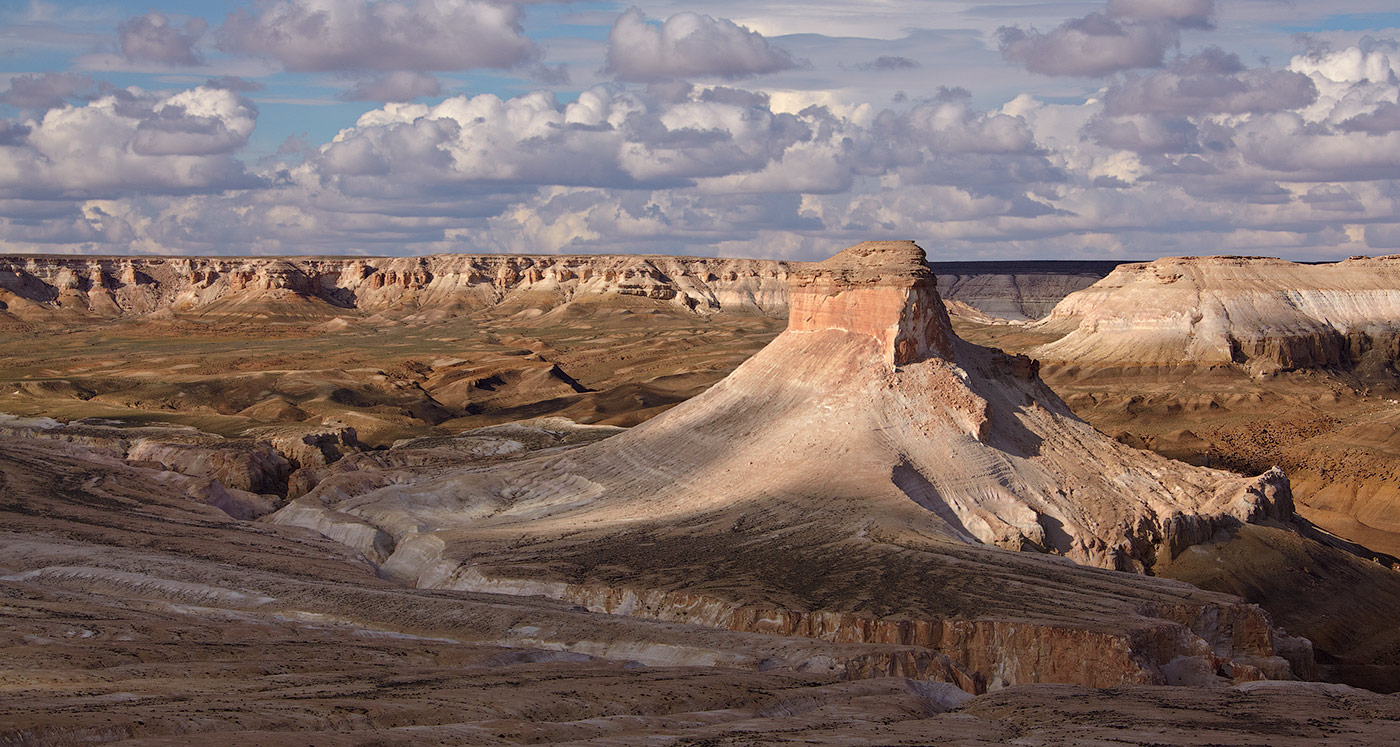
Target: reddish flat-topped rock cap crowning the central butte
(883,289)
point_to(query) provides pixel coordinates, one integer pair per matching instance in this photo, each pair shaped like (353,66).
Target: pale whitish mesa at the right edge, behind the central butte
(1261,314)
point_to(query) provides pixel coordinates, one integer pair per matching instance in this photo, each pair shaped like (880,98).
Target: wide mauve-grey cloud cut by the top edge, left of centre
(328,36)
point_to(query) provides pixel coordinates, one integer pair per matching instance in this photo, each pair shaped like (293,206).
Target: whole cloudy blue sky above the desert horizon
(1104,129)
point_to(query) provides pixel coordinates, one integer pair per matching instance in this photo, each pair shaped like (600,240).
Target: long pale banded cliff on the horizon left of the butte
(47,287)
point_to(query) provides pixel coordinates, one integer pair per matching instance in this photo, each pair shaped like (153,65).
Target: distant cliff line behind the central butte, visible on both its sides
(324,292)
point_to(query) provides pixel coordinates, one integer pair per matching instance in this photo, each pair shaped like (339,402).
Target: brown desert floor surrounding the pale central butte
(145,602)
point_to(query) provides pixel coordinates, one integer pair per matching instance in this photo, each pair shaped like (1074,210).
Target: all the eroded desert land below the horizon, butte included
(675,501)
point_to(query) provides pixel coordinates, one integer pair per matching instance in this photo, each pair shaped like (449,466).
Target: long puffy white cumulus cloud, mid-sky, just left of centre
(605,138)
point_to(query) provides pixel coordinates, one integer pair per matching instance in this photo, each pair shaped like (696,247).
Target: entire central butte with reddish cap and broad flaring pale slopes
(846,485)
